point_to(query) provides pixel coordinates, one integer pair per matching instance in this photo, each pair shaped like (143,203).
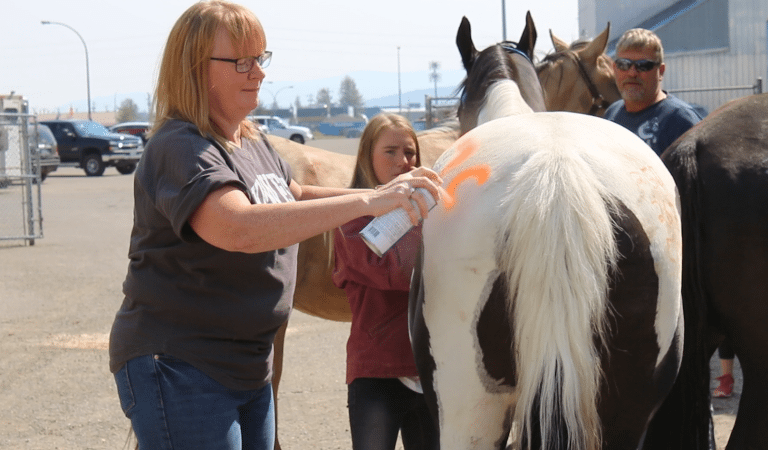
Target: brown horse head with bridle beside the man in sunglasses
(579,77)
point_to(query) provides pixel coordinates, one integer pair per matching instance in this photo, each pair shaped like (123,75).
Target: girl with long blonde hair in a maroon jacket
(384,393)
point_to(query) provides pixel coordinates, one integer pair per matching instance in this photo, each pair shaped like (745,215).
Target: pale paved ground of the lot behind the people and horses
(57,302)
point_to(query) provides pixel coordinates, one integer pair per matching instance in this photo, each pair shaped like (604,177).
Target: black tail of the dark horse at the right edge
(684,419)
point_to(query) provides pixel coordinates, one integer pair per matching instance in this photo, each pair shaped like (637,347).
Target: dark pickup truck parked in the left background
(92,147)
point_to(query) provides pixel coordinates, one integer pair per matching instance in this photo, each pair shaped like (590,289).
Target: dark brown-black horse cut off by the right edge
(721,169)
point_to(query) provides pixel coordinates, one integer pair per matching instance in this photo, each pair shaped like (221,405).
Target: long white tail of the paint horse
(558,251)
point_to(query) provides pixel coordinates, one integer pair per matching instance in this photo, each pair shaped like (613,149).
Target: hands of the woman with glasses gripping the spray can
(399,192)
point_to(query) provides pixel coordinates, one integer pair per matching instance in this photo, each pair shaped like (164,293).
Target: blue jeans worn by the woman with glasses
(172,405)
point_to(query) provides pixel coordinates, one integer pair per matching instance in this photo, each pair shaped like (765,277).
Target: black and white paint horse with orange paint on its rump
(546,305)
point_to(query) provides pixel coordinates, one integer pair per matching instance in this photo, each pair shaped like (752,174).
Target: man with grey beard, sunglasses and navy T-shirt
(657,117)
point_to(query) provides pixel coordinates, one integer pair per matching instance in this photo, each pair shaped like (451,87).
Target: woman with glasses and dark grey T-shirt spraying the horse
(213,248)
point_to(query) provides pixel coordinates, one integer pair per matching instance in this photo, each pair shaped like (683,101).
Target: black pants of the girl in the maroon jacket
(379,408)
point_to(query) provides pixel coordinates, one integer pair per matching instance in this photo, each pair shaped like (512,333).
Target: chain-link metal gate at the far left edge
(20,184)
